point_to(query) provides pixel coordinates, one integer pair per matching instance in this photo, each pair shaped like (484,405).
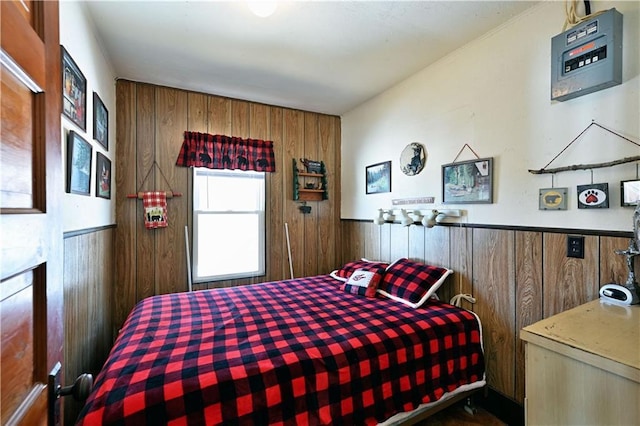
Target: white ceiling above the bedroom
(319,56)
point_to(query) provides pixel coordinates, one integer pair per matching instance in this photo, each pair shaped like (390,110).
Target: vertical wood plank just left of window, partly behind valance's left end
(171,109)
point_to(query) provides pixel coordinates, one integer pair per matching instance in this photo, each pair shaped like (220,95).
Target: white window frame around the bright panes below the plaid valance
(197,278)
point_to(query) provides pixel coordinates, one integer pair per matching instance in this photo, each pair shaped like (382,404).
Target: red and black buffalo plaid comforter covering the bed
(290,352)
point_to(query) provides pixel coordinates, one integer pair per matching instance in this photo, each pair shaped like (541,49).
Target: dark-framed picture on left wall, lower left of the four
(79,156)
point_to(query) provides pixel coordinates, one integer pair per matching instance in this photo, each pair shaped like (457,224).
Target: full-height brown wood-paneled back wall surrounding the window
(151,121)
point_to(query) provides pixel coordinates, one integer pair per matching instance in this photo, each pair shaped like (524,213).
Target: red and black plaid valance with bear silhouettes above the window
(226,152)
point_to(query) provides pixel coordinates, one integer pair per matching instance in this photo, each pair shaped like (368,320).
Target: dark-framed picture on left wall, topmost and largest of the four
(74,91)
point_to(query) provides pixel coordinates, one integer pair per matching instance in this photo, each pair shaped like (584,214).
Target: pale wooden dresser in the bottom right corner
(583,367)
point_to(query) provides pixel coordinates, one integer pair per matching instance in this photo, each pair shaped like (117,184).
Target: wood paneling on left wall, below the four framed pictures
(88,282)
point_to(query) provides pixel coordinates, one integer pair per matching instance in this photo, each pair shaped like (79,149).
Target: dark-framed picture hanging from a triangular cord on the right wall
(468,182)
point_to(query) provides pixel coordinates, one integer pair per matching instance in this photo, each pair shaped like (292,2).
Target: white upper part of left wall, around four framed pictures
(78,38)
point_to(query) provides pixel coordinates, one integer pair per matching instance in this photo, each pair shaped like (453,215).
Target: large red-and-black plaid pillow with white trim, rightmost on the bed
(412,283)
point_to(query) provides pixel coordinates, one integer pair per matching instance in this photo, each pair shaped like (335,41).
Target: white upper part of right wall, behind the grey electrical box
(494,94)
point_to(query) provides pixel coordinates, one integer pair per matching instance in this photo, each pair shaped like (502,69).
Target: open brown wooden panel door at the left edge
(31,186)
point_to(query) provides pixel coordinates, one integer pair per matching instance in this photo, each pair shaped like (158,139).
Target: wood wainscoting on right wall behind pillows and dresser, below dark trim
(518,277)
